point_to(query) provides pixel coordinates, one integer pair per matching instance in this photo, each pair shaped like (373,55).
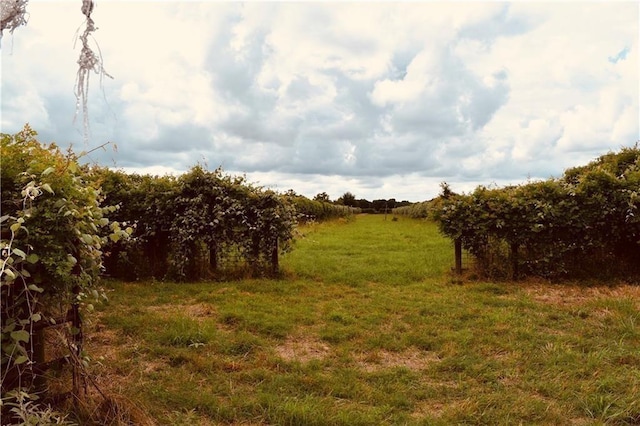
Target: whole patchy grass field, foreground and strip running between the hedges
(367,327)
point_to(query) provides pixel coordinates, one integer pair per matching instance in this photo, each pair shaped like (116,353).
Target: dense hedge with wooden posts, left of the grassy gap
(200,225)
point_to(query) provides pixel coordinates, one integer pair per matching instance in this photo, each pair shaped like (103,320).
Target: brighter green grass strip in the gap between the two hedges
(371,250)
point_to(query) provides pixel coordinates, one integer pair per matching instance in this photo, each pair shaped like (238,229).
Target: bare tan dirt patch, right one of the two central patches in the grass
(412,358)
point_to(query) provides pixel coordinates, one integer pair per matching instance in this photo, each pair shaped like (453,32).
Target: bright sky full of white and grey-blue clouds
(380,99)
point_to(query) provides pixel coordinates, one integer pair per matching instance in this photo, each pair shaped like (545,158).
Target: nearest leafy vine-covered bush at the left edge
(54,227)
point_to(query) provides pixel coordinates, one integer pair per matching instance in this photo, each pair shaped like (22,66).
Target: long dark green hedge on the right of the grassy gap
(584,224)
